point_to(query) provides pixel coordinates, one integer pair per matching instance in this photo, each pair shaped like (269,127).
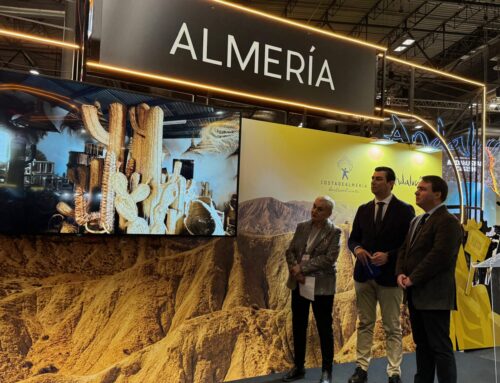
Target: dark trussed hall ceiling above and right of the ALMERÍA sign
(447,34)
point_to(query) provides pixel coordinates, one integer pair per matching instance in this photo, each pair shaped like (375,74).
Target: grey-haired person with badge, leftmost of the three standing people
(313,253)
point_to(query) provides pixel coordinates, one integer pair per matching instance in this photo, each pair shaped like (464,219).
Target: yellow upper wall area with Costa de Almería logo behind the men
(297,164)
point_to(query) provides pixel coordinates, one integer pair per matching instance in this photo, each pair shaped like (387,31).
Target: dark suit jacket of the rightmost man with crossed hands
(430,262)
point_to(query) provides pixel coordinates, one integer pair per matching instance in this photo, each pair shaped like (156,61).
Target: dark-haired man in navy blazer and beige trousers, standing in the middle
(379,229)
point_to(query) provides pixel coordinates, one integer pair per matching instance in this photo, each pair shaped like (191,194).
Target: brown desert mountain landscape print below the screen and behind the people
(141,309)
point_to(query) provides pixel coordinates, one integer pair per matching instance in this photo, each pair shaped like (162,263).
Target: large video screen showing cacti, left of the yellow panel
(83,159)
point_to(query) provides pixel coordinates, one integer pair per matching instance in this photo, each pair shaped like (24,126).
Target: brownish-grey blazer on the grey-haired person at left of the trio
(323,257)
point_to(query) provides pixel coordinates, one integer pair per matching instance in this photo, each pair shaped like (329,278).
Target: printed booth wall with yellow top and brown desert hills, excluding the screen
(186,309)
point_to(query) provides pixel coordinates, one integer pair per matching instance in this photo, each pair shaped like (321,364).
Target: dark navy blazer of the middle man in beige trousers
(395,225)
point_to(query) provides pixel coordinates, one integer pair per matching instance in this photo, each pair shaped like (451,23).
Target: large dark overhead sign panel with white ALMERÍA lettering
(205,42)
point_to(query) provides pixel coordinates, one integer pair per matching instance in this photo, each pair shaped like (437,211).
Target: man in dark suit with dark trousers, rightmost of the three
(426,269)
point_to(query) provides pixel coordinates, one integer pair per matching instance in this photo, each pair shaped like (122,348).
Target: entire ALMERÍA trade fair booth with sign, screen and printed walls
(147,203)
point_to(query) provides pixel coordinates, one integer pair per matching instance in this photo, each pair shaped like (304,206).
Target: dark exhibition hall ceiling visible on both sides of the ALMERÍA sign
(462,37)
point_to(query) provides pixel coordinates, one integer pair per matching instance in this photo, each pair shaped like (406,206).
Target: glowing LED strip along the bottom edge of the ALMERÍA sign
(151,76)
